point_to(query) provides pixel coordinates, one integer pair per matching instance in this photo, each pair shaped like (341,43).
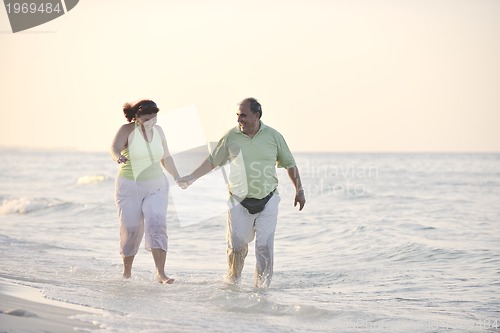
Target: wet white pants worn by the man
(242,228)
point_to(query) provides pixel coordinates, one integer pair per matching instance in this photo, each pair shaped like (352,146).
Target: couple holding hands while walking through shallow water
(141,195)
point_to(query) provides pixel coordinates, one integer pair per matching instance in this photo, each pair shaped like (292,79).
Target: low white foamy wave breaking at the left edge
(30,205)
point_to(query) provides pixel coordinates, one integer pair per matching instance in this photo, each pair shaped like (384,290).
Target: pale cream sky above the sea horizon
(331,75)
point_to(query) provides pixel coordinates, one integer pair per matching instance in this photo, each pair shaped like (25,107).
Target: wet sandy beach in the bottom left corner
(25,310)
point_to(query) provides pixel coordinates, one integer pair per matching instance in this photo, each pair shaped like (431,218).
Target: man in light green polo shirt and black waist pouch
(253,151)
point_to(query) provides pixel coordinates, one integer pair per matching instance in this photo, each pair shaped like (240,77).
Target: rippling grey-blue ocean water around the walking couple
(387,242)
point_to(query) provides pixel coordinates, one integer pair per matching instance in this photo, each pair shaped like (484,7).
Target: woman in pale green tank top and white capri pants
(141,193)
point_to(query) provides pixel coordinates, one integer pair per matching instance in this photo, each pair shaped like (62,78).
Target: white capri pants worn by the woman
(142,210)
